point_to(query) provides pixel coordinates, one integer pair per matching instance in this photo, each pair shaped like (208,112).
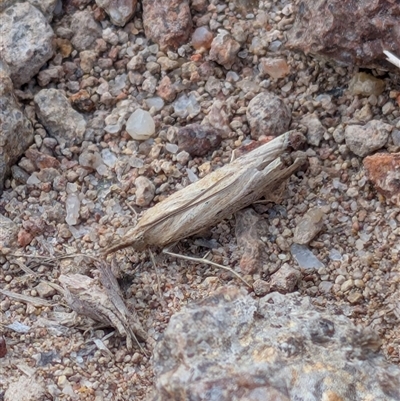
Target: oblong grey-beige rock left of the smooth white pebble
(59,118)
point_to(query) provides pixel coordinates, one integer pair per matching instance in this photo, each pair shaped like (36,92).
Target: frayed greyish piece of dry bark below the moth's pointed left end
(102,303)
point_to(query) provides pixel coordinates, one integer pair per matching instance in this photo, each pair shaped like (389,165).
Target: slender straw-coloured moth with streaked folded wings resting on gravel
(213,198)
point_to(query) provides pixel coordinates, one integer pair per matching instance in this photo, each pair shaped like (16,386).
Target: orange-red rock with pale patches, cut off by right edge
(383,170)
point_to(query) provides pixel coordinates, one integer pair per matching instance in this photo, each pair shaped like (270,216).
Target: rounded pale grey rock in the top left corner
(27,41)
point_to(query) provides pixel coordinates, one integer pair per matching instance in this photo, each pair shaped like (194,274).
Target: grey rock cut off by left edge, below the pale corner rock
(16,131)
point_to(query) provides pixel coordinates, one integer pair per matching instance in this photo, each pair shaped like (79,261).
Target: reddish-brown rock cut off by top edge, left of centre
(167,23)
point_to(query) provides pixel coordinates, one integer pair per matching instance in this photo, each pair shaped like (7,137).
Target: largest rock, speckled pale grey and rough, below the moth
(231,347)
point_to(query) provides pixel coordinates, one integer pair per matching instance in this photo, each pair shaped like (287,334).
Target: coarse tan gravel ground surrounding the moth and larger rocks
(358,244)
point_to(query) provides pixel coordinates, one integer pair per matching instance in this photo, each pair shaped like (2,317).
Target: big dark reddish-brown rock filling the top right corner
(350,32)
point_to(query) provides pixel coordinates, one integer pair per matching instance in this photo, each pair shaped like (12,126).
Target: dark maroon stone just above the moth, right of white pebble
(198,139)
